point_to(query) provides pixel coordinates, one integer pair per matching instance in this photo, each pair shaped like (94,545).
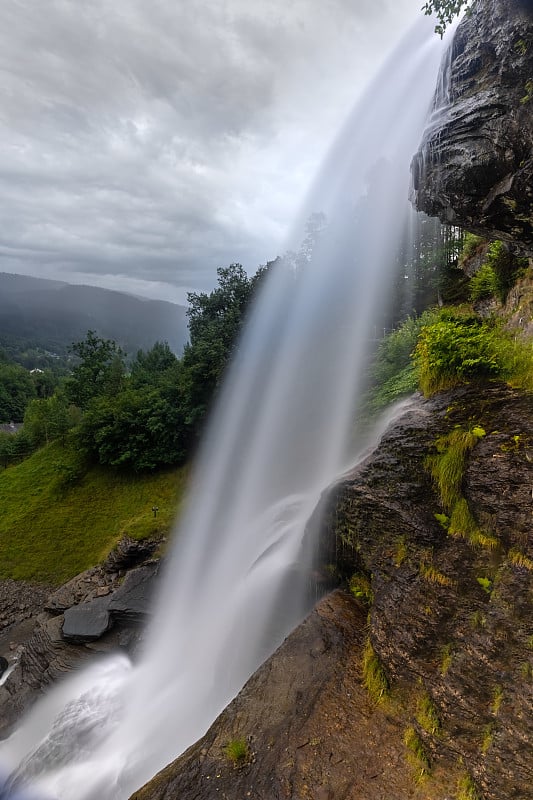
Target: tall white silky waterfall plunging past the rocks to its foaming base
(236,582)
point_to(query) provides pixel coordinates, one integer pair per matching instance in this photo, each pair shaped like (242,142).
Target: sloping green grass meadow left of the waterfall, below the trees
(60,517)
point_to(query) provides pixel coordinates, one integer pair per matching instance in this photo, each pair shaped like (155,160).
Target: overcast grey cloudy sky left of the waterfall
(146,142)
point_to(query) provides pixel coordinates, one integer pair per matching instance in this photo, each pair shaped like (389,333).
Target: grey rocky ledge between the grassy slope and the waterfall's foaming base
(48,633)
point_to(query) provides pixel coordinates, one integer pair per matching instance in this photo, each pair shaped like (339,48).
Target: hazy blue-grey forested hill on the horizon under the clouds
(50,315)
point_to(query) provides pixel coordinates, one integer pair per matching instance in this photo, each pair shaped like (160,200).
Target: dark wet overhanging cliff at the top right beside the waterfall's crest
(475,165)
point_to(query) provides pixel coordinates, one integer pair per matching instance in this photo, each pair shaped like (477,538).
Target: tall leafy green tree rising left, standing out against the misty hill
(101,370)
